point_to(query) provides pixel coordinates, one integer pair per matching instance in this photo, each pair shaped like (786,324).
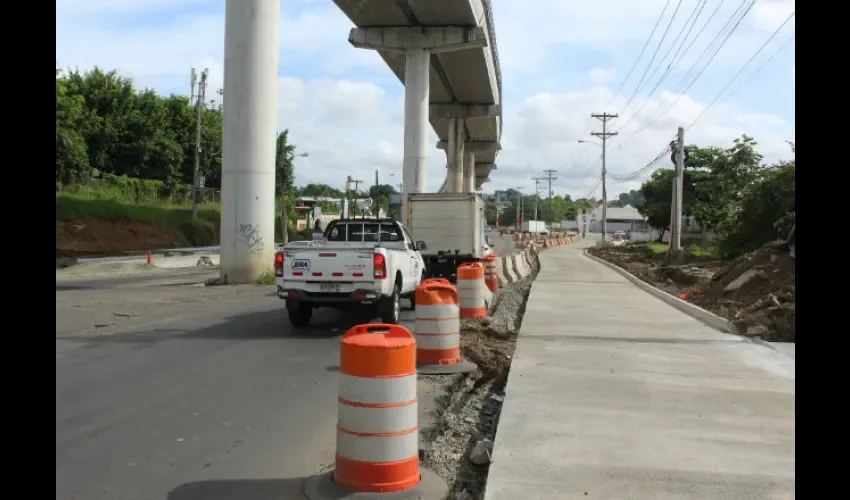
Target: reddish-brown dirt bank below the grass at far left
(93,237)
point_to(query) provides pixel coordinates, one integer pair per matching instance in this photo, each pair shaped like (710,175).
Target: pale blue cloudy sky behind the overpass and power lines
(561,61)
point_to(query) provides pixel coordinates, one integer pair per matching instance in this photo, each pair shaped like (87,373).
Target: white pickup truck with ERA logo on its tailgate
(361,263)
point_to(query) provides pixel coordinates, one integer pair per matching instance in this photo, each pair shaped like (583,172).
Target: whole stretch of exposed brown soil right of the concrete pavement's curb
(755,292)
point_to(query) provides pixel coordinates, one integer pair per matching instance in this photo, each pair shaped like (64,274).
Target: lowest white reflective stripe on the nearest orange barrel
(377,448)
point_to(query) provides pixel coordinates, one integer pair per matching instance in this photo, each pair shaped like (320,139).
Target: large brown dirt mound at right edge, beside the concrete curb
(756,293)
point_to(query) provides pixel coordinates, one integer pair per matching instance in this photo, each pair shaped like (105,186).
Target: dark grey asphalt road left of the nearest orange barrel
(190,393)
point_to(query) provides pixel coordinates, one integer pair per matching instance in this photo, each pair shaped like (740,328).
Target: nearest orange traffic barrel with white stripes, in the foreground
(377,443)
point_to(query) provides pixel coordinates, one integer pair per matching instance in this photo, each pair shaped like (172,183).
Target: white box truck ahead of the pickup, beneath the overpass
(452,227)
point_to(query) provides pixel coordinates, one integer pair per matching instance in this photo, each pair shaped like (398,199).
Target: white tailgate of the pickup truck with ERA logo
(345,265)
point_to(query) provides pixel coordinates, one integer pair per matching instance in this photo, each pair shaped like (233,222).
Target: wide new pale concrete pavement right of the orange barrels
(615,395)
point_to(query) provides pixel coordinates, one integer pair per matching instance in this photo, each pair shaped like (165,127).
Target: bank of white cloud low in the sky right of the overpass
(546,130)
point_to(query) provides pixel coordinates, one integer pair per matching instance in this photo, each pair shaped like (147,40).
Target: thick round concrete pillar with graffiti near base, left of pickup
(250,123)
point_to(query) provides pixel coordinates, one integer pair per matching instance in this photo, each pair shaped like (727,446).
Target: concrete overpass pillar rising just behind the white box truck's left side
(417,87)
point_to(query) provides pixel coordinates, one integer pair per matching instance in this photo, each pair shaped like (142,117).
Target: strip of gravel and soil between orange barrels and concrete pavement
(459,447)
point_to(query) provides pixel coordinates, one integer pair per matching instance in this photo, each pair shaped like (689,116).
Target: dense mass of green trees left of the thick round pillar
(104,123)
